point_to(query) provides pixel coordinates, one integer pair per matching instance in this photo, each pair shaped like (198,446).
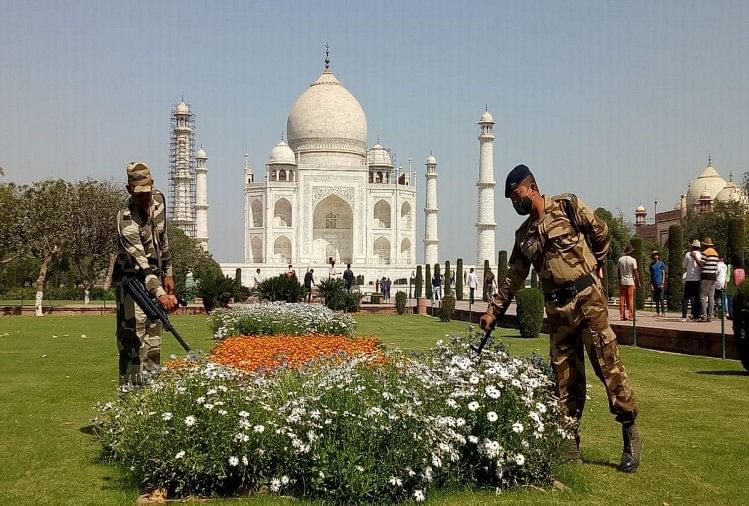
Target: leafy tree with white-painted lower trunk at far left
(43,226)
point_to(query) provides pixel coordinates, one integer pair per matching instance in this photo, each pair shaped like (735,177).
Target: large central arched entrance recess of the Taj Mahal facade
(332,230)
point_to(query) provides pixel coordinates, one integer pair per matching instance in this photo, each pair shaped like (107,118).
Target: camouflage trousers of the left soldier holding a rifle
(138,341)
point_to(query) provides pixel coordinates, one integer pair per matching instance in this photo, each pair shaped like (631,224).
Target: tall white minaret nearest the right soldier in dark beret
(485,224)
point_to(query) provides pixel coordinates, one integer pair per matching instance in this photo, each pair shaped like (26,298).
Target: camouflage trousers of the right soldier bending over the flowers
(582,324)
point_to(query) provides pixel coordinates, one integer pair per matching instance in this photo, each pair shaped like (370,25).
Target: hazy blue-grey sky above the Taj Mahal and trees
(619,102)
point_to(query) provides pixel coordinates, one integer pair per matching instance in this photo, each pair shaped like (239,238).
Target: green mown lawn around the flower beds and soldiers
(694,418)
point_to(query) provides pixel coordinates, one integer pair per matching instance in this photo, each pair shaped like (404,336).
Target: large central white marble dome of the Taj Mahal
(327,118)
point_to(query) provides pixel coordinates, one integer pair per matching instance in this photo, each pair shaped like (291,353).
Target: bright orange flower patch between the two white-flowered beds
(270,352)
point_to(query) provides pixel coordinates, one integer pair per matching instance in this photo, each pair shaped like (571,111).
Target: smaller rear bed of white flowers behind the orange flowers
(279,318)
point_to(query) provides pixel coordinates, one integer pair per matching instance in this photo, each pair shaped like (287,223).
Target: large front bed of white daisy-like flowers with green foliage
(341,430)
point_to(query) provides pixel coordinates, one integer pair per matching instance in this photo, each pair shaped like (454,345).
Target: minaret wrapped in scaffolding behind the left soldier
(182,169)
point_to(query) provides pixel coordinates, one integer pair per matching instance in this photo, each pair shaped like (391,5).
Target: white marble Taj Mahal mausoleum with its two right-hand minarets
(326,195)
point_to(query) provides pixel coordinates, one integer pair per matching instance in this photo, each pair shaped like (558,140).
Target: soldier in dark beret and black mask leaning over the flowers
(567,245)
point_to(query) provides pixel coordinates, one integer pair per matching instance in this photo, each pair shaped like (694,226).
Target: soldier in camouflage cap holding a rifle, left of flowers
(144,253)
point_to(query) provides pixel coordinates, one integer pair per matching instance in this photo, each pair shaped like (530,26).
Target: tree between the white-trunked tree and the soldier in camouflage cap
(94,240)
